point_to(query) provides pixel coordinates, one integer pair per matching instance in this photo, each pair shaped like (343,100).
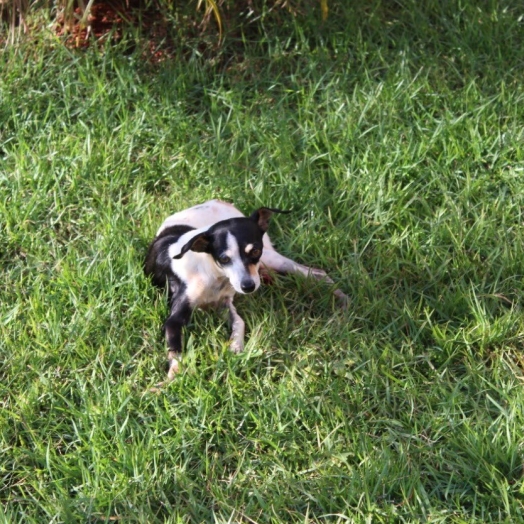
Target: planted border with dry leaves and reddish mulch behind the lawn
(20,17)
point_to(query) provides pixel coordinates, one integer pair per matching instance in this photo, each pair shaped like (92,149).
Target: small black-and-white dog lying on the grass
(206,254)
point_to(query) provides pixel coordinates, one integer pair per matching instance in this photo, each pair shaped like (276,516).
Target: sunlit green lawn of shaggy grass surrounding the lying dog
(395,132)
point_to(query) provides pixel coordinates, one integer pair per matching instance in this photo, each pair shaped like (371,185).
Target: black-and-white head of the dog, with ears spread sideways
(236,247)
